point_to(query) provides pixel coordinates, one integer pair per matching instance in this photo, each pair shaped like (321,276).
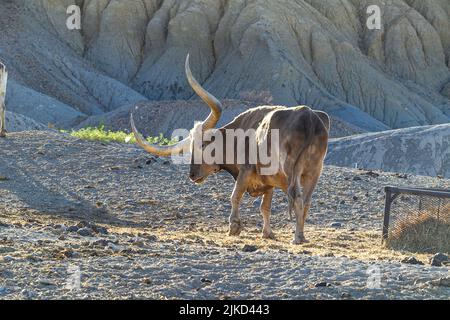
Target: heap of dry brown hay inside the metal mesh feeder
(423,233)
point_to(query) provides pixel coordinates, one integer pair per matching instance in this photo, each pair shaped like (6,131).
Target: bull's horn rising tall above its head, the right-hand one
(209,99)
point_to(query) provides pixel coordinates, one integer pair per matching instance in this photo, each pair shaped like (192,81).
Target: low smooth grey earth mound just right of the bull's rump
(417,150)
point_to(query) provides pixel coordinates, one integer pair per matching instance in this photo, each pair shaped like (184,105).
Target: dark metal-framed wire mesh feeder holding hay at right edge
(409,208)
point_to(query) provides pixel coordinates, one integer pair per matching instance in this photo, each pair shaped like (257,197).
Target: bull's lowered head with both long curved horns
(198,171)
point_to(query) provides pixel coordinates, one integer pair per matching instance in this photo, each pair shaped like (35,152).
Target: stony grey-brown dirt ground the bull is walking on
(92,220)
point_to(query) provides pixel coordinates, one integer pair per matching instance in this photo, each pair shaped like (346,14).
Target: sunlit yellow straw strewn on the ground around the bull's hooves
(361,245)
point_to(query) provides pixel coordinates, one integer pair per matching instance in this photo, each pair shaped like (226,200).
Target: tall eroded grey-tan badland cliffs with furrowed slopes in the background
(318,53)
